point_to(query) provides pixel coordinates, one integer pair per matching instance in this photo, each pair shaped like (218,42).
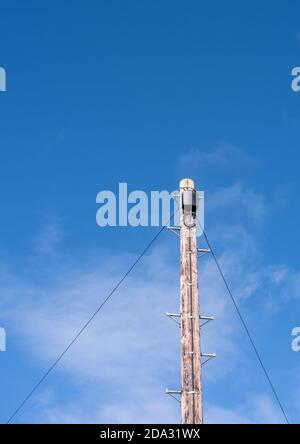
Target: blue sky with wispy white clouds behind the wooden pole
(147,93)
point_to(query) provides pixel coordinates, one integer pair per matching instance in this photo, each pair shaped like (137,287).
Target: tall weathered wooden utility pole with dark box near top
(191,386)
